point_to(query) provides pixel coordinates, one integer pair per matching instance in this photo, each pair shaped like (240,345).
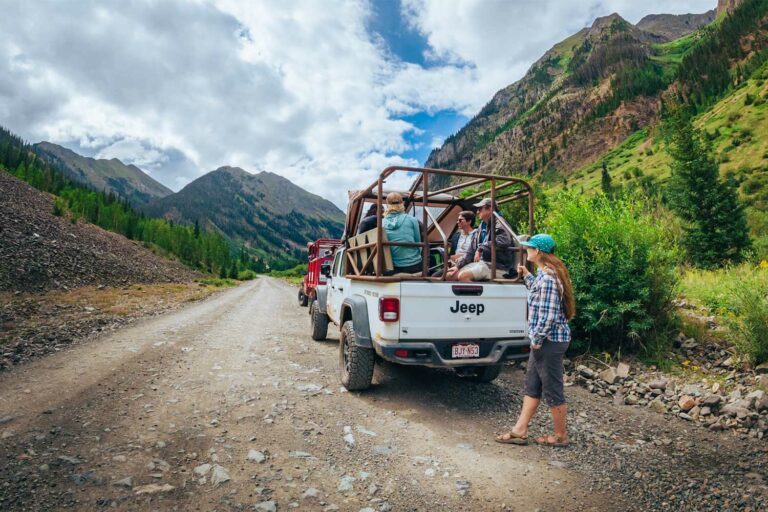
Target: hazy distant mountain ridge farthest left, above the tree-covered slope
(127,181)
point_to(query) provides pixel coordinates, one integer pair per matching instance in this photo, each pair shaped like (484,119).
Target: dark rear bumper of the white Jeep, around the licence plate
(437,353)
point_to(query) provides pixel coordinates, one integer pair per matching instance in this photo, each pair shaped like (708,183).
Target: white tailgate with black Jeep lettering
(462,311)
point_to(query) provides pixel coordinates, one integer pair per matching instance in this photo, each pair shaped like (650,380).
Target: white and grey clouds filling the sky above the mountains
(301,88)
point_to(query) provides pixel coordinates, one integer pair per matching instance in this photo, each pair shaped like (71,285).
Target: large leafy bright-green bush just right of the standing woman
(621,255)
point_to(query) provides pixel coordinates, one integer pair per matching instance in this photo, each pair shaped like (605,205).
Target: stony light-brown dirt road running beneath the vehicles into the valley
(229,405)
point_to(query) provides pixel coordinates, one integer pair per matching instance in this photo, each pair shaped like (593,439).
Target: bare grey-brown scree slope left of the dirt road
(40,251)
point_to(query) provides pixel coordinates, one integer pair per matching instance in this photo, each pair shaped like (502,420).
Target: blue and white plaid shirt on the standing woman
(546,318)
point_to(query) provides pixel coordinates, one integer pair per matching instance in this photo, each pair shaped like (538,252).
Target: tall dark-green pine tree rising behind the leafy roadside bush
(716,230)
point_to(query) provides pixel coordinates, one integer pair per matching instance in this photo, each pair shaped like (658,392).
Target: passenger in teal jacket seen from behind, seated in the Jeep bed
(401,227)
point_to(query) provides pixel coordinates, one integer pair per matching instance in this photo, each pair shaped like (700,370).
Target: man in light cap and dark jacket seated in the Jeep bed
(475,265)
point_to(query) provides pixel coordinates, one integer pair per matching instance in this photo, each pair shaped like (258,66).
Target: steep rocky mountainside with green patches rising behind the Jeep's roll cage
(581,99)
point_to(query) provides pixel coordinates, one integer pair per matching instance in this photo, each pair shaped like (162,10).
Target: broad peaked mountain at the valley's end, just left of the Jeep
(265,211)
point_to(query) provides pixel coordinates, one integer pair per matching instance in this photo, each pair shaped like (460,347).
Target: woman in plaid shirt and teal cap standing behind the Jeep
(550,306)
